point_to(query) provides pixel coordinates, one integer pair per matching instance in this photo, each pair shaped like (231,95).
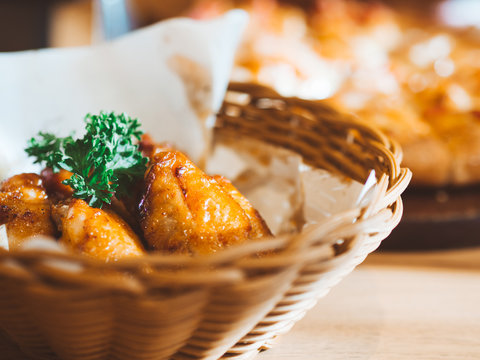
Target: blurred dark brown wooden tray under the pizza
(437,219)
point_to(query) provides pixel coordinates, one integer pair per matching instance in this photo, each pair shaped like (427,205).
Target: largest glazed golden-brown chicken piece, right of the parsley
(184,210)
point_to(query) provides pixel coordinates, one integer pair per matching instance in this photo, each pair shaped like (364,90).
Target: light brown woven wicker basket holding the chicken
(229,305)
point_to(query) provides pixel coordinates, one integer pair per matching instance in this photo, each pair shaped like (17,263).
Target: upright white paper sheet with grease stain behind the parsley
(172,76)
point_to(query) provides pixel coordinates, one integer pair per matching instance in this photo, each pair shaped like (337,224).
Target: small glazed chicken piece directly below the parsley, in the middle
(101,234)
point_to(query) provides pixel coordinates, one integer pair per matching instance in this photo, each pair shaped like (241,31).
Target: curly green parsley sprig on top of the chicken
(105,161)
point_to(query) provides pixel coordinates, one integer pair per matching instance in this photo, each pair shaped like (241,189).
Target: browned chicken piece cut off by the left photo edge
(25,208)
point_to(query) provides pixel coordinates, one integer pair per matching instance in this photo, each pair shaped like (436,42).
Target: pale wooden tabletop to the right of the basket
(394,306)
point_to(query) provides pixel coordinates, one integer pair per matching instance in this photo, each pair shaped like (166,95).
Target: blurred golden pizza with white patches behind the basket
(416,80)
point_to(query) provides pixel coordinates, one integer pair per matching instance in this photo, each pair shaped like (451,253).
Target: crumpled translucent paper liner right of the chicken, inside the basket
(288,193)
